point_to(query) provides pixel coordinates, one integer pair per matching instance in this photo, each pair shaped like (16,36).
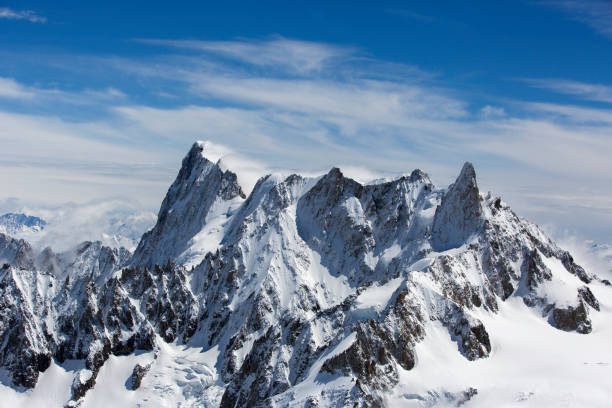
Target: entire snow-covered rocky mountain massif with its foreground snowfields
(308,292)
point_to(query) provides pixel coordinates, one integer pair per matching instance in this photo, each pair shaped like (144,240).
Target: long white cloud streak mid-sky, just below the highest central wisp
(364,100)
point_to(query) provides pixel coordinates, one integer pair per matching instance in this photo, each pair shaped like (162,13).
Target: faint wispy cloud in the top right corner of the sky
(595,13)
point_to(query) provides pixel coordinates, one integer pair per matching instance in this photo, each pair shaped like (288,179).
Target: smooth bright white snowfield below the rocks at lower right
(532,364)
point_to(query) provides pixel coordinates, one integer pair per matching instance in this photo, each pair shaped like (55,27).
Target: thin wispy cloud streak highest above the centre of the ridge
(275,57)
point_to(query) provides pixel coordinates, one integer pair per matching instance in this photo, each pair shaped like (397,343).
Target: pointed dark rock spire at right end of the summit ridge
(460,214)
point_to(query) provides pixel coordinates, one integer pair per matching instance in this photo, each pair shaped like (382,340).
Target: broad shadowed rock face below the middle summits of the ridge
(348,224)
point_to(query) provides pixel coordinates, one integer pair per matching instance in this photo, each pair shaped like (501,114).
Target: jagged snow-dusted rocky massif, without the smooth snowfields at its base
(311,280)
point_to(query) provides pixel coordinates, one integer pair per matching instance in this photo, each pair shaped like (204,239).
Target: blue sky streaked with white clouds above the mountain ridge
(103,101)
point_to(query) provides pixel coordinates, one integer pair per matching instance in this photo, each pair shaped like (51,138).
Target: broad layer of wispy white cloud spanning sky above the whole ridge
(338,111)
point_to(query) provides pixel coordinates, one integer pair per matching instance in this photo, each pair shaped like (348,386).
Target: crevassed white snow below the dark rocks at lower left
(179,376)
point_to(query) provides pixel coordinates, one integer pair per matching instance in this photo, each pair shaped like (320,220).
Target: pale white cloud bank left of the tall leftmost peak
(61,160)
